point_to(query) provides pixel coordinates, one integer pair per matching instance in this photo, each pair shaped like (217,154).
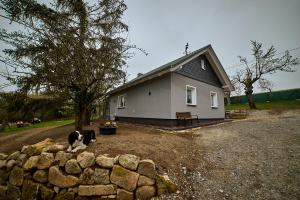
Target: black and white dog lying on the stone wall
(80,140)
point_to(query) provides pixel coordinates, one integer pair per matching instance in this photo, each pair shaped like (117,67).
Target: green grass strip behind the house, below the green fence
(284,104)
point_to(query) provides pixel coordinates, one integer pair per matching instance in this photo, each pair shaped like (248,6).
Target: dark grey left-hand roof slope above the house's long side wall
(161,68)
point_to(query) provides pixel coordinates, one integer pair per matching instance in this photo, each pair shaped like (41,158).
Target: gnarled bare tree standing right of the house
(267,62)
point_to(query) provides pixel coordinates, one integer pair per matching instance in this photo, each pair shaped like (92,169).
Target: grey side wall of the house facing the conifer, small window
(140,104)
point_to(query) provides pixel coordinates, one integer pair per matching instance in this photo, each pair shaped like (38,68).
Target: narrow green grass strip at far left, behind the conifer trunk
(61,122)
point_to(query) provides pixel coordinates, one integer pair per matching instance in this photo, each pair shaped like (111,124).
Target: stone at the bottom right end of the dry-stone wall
(165,185)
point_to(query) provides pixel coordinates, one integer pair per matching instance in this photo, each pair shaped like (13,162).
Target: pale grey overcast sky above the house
(163,27)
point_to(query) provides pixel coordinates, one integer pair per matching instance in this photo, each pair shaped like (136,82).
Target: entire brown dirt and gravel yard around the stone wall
(256,158)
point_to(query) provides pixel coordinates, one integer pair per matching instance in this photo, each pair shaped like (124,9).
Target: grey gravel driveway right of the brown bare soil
(257,158)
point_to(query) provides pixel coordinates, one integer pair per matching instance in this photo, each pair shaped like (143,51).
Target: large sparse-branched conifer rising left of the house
(68,48)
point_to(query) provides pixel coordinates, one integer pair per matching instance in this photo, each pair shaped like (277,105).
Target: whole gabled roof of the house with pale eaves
(177,64)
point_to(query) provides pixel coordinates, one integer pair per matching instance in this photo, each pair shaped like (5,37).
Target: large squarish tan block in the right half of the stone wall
(124,178)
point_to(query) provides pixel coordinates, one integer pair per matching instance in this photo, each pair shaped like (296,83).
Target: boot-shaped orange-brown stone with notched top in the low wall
(56,178)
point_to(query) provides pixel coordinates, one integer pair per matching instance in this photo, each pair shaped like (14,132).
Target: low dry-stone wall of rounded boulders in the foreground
(46,171)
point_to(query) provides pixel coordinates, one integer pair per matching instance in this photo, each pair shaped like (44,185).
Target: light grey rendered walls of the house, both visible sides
(168,96)
